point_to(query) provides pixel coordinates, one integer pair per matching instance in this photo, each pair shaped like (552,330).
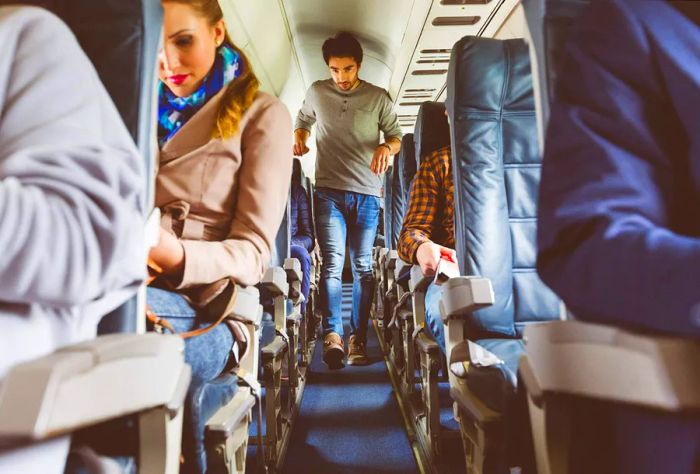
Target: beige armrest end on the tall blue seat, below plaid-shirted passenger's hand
(463,295)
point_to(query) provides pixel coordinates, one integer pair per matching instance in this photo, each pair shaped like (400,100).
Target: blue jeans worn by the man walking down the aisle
(342,215)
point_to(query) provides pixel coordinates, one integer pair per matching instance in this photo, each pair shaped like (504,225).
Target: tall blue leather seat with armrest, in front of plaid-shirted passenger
(496,170)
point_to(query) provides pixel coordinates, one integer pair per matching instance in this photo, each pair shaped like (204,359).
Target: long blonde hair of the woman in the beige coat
(240,93)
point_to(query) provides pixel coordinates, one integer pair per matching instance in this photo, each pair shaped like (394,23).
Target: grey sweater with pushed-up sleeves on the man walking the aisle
(347,132)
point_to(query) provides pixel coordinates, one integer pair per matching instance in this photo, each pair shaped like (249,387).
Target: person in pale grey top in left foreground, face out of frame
(72,212)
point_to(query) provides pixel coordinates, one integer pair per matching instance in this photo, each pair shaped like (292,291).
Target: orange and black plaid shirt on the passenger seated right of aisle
(430,214)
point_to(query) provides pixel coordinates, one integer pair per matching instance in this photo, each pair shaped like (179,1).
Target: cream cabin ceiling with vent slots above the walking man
(406,43)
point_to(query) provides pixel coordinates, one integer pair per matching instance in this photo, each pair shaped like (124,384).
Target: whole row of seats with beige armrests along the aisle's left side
(126,396)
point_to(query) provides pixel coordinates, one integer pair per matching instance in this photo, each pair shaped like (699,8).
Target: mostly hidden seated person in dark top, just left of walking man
(302,237)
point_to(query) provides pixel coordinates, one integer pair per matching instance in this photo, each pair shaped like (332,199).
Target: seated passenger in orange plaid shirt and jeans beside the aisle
(427,235)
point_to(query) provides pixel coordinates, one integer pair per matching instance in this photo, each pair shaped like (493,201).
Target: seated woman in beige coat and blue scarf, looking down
(224,170)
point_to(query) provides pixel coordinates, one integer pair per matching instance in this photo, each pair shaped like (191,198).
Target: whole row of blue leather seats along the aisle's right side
(506,333)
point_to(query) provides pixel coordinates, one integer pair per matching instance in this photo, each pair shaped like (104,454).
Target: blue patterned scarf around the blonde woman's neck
(174,111)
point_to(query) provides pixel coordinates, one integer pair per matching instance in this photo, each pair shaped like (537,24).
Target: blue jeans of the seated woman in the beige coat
(207,353)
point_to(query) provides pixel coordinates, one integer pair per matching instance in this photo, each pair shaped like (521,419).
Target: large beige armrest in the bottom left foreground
(75,386)
